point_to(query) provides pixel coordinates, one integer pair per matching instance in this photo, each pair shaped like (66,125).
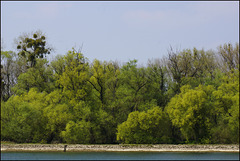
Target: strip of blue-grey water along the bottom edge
(118,156)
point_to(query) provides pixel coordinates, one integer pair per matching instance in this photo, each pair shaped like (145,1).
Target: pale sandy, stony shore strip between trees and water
(120,148)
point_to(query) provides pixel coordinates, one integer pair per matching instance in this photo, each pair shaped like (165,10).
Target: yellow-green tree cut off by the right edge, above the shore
(226,102)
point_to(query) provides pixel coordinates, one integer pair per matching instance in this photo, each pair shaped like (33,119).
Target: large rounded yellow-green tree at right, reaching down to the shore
(190,111)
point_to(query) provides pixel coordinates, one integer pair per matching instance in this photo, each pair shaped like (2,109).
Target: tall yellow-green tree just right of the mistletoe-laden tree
(74,79)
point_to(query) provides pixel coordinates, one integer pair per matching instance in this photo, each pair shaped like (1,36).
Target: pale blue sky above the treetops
(122,30)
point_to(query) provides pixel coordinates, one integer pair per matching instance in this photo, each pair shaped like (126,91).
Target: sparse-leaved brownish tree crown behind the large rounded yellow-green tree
(190,67)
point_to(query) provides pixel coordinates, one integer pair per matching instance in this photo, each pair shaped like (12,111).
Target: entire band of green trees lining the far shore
(188,96)
